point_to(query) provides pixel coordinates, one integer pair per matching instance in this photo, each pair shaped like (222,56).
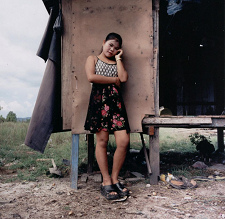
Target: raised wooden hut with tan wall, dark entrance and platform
(174,54)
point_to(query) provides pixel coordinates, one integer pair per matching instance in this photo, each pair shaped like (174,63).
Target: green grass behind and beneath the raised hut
(24,163)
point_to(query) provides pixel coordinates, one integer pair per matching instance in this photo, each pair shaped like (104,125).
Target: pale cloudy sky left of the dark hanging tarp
(22,26)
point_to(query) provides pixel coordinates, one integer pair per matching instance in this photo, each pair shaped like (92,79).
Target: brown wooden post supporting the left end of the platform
(154,156)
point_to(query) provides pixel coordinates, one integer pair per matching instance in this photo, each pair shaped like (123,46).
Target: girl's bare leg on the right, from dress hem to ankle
(122,141)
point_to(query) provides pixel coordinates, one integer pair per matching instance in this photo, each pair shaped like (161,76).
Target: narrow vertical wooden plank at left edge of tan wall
(66,65)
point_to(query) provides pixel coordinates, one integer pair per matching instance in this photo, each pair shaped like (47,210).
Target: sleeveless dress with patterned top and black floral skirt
(106,110)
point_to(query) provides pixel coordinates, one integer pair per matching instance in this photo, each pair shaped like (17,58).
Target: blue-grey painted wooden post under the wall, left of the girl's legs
(74,161)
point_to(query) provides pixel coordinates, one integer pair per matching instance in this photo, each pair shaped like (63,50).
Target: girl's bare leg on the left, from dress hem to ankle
(102,138)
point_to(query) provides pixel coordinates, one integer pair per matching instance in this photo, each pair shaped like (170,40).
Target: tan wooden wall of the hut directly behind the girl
(86,24)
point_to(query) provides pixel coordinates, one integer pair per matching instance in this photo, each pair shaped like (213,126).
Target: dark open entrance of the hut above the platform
(191,64)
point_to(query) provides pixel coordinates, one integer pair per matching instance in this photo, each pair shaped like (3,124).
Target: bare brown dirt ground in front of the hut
(54,198)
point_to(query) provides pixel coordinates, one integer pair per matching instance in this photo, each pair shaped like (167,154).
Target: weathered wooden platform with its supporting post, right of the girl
(151,125)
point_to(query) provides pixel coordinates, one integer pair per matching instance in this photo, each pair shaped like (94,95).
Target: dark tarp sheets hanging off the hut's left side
(46,117)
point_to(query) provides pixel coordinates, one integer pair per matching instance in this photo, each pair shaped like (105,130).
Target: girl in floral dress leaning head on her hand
(106,113)
